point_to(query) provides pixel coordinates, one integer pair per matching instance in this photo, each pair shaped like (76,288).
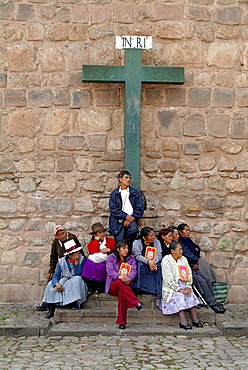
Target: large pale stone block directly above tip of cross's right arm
(188,54)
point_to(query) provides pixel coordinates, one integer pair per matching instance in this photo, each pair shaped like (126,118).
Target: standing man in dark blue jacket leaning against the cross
(126,207)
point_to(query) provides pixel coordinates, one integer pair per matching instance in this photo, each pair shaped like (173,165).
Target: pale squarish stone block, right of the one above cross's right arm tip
(222,54)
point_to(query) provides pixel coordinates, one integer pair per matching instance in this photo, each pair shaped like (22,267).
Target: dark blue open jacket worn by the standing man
(117,216)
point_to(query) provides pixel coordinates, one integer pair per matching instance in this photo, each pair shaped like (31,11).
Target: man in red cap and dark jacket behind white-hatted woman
(57,251)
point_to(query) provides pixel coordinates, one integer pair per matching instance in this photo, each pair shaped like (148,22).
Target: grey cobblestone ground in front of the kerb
(123,352)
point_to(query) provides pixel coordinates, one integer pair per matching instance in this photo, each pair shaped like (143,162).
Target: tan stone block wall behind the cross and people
(62,140)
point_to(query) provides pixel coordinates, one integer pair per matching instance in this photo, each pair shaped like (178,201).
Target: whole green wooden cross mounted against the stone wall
(133,74)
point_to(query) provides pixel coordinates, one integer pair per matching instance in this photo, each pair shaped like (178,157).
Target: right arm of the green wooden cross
(168,75)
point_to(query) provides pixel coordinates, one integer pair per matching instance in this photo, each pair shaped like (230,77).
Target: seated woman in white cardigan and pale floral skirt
(177,295)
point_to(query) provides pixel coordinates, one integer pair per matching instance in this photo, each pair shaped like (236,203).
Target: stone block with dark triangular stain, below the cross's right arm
(169,123)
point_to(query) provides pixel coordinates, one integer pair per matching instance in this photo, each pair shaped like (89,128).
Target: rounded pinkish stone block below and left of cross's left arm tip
(57,121)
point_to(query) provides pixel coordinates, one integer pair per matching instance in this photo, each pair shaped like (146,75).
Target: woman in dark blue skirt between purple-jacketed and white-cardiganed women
(148,253)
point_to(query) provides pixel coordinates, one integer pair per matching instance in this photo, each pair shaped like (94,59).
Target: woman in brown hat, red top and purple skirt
(94,270)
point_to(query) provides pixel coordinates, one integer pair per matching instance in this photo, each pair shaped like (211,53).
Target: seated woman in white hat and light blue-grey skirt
(67,285)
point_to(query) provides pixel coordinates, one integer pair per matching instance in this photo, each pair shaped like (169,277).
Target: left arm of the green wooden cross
(103,73)
